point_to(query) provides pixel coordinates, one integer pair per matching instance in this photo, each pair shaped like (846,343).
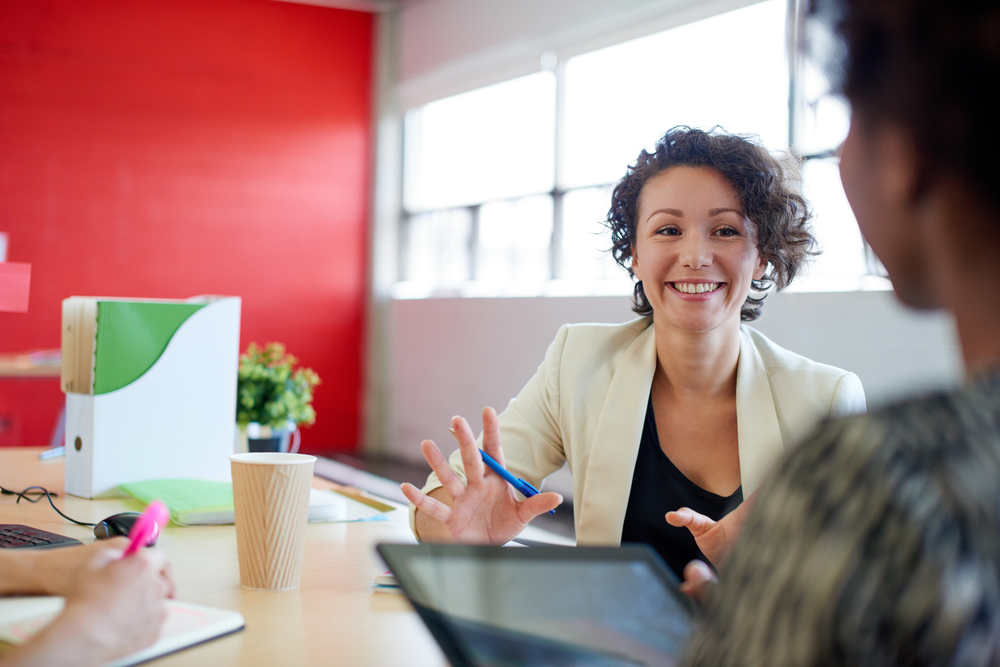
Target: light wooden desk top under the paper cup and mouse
(332,618)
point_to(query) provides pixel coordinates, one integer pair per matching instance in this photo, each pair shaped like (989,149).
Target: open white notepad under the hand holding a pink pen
(187,624)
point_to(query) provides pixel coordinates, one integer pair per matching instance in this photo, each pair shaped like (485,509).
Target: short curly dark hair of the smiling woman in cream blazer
(780,216)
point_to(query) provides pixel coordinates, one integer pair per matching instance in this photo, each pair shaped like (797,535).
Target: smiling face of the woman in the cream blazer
(695,250)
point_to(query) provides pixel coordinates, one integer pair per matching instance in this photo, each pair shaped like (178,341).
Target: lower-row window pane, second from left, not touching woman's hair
(514,240)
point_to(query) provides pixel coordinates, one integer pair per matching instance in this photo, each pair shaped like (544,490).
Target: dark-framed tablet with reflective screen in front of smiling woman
(551,606)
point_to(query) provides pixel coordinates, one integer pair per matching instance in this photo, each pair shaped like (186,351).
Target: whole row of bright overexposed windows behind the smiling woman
(494,205)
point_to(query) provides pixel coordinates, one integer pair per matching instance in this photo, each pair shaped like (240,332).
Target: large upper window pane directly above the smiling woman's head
(728,70)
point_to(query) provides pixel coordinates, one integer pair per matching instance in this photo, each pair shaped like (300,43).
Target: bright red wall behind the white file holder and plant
(169,148)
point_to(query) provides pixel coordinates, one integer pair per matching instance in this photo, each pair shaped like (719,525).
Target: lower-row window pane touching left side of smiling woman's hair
(585,256)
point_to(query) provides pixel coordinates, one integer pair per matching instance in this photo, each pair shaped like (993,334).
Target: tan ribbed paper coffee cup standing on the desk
(271,501)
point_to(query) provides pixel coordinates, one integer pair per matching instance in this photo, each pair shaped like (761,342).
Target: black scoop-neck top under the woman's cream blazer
(659,487)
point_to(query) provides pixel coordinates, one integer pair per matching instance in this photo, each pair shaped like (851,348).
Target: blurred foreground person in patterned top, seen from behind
(877,540)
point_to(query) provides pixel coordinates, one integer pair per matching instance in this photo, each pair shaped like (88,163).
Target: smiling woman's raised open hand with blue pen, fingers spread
(484,510)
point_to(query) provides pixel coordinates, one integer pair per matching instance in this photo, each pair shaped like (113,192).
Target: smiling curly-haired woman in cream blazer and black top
(681,408)
